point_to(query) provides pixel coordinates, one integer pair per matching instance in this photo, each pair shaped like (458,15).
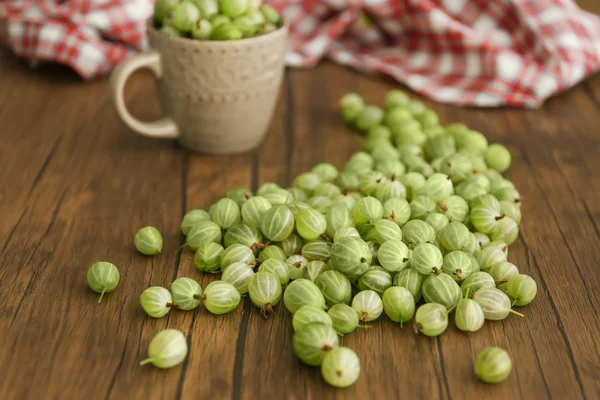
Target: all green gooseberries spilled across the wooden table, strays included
(417,227)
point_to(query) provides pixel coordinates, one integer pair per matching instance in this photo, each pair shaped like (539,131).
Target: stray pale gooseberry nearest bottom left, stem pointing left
(167,349)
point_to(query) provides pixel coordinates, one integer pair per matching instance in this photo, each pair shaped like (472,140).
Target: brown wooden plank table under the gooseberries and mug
(76,184)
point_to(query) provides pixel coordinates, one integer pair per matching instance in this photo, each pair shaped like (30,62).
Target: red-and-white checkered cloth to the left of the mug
(90,36)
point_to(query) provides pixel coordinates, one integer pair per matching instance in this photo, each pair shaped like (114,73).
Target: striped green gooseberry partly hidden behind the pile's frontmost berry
(313,341)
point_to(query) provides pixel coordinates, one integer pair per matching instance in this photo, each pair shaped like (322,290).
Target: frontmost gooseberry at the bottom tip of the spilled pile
(340,367)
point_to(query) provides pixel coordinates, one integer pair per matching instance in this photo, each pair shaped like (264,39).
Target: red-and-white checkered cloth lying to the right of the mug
(483,53)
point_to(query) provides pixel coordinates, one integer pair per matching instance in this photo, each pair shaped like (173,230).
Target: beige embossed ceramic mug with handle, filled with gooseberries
(217,97)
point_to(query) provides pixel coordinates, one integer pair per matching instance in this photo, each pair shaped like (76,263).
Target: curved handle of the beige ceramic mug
(162,128)
